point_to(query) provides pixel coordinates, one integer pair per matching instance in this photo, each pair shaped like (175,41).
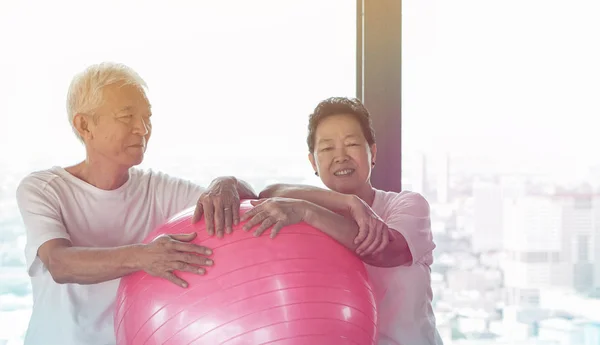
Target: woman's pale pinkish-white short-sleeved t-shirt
(405,313)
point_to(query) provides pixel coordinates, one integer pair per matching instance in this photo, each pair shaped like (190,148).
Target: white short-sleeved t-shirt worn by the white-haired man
(55,204)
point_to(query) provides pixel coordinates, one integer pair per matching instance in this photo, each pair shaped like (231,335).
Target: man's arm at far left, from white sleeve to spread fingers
(49,246)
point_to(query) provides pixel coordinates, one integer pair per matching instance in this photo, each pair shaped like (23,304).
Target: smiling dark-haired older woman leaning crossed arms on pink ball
(390,231)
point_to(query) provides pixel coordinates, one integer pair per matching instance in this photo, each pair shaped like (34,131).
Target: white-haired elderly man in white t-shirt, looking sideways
(85,223)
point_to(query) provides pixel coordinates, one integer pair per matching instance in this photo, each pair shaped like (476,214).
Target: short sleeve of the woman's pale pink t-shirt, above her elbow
(408,213)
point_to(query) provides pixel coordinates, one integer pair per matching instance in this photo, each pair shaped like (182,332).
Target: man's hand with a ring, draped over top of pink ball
(220,205)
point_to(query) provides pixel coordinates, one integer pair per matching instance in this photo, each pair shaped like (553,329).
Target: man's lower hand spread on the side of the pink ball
(168,253)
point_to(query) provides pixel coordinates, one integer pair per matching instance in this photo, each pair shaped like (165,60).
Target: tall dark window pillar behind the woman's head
(379,54)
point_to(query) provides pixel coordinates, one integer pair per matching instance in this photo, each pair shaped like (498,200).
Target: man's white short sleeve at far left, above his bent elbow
(40,210)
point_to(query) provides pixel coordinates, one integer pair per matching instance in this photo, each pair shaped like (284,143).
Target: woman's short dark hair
(337,106)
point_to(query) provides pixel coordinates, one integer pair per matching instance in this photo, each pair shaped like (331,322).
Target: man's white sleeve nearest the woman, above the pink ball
(176,194)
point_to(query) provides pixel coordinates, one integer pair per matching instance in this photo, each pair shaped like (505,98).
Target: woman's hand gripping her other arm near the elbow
(373,233)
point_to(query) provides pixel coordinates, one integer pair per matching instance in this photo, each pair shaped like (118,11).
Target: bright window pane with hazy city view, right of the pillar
(503,94)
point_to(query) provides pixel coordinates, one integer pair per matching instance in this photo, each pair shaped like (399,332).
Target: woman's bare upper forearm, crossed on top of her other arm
(334,201)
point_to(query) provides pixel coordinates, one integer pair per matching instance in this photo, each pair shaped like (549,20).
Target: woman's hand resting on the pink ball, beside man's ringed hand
(273,212)
